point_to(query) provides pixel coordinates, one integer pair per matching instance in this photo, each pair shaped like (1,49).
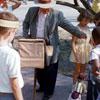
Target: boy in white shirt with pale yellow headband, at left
(11,80)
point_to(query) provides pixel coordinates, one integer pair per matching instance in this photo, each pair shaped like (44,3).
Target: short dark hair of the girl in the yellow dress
(84,14)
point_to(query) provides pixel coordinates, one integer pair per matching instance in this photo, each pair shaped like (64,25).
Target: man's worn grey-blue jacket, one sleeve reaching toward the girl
(54,19)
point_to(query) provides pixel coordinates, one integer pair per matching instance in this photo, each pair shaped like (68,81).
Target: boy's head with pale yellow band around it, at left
(8,25)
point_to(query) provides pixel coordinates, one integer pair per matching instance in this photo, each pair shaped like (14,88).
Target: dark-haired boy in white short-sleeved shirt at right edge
(94,61)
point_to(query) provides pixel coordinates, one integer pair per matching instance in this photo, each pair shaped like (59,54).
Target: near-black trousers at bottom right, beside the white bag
(92,92)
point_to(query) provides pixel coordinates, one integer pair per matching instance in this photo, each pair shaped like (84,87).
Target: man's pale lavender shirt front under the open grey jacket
(41,24)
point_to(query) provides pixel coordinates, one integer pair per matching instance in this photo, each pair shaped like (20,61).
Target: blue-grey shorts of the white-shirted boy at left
(7,96)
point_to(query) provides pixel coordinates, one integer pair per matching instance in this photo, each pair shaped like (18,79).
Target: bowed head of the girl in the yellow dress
(84,18)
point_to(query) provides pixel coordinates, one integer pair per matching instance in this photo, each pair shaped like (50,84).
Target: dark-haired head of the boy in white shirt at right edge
(96,35)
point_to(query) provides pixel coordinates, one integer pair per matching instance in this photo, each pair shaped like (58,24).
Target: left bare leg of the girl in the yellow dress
(77,72)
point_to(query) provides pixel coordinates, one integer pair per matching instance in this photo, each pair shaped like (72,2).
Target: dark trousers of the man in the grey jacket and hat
(47,78)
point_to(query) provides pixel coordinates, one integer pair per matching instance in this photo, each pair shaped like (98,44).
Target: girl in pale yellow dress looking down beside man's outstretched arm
(81,47)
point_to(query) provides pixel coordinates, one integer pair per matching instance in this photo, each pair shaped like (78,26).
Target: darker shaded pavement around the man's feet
(61,92)
